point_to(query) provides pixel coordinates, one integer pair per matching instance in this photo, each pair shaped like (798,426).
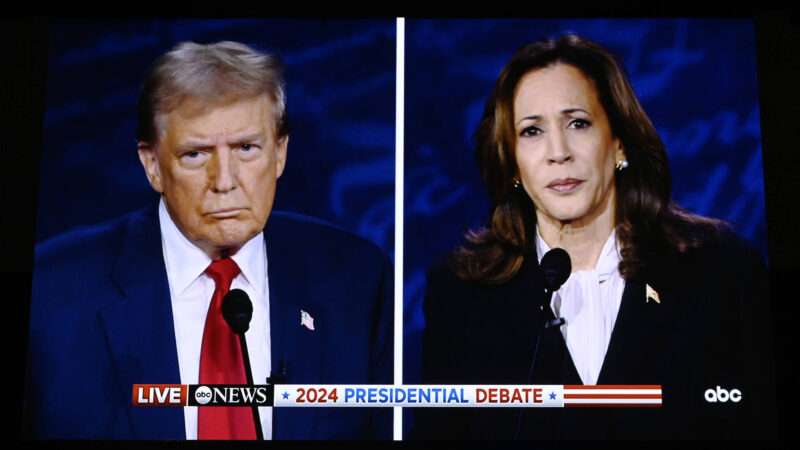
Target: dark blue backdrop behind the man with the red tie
(340,96)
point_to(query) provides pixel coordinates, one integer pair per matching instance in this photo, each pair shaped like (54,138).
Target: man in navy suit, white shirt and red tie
(138,299)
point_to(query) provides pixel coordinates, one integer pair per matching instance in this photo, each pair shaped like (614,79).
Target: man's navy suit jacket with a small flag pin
(101,320)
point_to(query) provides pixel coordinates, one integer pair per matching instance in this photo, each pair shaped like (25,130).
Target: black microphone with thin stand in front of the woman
(556,267)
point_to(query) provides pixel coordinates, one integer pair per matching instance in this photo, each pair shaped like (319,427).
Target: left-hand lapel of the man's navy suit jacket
(139,326)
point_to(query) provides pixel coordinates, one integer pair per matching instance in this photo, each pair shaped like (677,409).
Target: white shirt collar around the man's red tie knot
(186,262)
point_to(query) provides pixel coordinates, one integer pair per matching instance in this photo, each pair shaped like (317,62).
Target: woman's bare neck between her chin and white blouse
(582,238)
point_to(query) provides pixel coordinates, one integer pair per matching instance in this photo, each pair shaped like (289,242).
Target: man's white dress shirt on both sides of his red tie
(190,293)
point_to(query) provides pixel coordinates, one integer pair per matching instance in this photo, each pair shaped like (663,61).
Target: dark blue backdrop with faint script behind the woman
(696,79)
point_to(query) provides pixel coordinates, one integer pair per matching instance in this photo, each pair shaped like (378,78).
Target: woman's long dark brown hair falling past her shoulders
(648,223)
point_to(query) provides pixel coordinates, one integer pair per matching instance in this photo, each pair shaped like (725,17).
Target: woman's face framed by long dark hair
(565,150)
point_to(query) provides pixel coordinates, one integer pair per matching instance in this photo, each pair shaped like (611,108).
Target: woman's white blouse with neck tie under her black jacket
(589,302)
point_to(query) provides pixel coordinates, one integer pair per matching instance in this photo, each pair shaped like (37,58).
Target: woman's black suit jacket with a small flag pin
(711,328)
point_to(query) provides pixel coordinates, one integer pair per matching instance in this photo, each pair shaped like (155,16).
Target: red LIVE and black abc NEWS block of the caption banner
(160,395)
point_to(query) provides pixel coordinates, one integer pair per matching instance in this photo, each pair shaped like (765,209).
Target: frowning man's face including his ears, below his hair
(217,168)
